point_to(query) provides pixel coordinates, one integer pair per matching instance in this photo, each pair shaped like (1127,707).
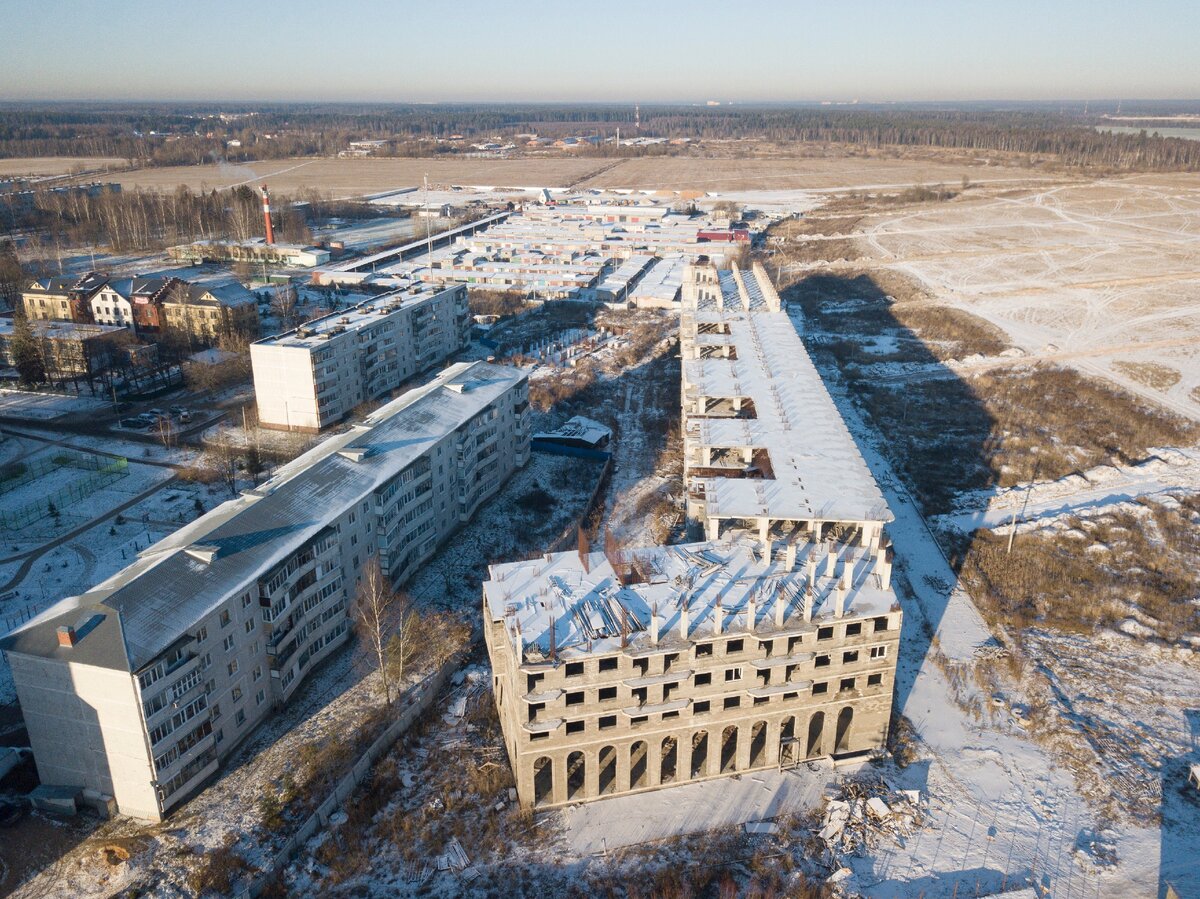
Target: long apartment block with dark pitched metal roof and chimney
(140,688)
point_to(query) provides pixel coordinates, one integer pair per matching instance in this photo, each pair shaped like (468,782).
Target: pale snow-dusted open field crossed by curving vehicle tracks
(1096,275)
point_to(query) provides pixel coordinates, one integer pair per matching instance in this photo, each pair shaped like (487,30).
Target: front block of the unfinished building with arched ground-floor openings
(629,672)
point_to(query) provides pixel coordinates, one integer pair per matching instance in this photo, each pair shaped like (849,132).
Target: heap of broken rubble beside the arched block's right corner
(866,813)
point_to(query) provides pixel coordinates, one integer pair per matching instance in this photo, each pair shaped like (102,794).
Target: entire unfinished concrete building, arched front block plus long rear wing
(771,643)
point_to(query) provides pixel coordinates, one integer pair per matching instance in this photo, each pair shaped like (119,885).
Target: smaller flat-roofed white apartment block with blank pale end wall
(311,377)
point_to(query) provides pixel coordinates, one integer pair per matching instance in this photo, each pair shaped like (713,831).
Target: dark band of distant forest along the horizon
(166,136)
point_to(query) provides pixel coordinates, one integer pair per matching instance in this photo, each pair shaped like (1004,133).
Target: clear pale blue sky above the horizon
(617,51)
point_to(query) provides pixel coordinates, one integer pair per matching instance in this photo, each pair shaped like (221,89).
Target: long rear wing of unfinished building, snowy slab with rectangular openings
(765,447)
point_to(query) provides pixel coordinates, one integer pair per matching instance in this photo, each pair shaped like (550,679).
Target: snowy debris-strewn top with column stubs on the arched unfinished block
(725,582)
